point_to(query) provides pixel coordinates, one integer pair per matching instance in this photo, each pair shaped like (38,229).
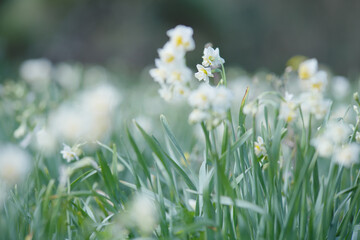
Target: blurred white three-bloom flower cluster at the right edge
(334,142)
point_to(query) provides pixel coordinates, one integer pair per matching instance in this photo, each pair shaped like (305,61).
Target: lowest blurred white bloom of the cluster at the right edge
(347,155)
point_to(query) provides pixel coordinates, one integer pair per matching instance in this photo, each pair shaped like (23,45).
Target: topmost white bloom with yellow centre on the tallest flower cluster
(181,37)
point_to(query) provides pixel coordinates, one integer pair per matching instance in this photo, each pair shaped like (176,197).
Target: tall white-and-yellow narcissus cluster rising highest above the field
(171,71)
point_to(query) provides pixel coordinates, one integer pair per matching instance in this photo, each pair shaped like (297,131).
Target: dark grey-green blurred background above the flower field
(124,35)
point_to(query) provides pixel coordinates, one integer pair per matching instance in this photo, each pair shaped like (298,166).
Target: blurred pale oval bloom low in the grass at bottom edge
(143,213)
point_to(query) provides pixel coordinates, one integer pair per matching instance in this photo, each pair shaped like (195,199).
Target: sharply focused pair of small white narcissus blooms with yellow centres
(211,60)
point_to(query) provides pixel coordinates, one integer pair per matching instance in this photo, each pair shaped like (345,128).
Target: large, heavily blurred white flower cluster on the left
(87,118)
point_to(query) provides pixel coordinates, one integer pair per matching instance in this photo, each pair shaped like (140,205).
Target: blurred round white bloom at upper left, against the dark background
(36,72)
